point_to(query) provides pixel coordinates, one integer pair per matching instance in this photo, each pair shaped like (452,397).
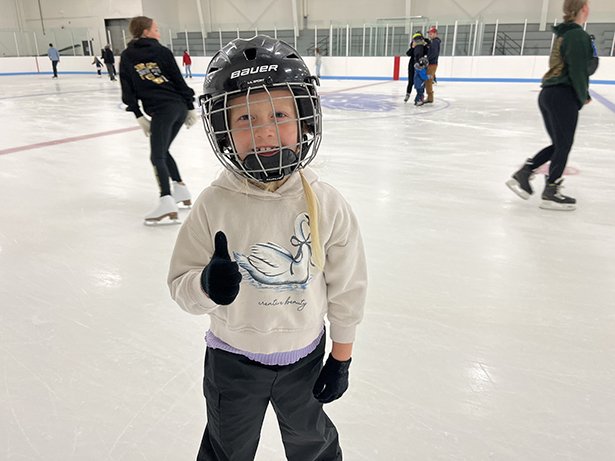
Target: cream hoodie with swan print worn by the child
(283,298)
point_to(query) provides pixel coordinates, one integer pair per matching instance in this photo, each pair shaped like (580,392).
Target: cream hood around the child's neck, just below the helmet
(291,188)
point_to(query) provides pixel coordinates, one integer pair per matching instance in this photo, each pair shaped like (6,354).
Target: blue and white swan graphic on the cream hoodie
(270,265)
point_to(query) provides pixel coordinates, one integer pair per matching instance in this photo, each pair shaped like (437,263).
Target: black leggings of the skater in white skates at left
(166,123)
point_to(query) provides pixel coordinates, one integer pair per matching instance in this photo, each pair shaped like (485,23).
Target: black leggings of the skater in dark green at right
(560,110)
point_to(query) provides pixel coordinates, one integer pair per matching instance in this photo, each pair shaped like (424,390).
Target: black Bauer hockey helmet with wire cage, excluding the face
(260,64)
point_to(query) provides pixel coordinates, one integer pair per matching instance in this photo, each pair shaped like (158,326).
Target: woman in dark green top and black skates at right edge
(565,90)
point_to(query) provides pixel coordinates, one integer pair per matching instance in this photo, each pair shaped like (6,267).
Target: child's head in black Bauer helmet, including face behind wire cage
(280,76)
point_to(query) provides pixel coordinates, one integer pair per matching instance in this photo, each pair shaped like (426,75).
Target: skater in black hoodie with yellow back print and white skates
(149,73)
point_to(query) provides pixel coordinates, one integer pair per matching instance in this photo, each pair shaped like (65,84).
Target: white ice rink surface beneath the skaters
(489,332)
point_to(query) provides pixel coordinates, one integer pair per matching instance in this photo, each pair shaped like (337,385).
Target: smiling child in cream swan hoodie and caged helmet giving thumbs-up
(268,251)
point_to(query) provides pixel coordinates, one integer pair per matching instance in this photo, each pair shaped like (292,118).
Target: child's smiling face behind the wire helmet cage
(260,113)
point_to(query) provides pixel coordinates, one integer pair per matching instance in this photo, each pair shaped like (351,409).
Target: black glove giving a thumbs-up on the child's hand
(221,277)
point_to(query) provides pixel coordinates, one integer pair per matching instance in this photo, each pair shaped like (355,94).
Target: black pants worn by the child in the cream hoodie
(238,390)
